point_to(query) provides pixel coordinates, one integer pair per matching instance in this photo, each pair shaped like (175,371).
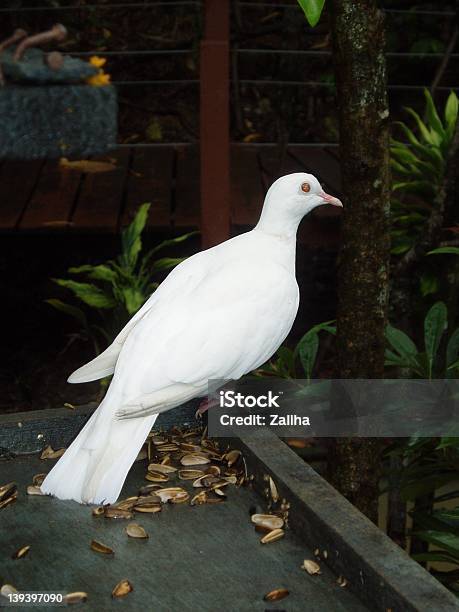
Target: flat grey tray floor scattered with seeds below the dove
(197,559)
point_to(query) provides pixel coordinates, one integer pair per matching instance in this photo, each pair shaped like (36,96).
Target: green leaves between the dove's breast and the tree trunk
(300,361)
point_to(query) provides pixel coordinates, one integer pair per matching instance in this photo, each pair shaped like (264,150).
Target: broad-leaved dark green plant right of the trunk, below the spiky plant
(431,361)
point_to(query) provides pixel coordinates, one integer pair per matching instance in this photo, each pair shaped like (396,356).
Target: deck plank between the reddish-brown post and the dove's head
(247,192)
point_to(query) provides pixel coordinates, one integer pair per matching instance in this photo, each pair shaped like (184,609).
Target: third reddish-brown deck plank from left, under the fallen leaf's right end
(100,199)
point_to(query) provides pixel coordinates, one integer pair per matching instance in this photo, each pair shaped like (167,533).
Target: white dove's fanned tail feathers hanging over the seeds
(94,467)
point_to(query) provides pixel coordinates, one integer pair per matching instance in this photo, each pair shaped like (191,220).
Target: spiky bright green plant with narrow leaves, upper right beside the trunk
(418,166)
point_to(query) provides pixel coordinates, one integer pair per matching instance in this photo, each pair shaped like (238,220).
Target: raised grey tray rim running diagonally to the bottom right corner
(381,574)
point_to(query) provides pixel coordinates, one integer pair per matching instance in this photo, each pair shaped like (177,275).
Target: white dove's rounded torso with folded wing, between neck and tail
(220,314)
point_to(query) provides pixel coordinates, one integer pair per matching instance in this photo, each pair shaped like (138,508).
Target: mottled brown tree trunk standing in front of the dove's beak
(360,69)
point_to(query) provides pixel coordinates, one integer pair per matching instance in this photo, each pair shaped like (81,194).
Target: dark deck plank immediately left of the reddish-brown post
(187,192)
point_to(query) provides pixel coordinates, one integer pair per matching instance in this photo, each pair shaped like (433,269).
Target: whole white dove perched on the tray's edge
(218,315)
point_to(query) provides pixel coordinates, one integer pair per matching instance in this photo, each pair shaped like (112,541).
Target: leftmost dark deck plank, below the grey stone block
(17,182)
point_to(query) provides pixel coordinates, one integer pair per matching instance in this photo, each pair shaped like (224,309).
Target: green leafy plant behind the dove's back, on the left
(120,286)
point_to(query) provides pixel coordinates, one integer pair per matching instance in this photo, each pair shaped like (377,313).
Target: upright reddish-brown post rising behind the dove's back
(214,101)
